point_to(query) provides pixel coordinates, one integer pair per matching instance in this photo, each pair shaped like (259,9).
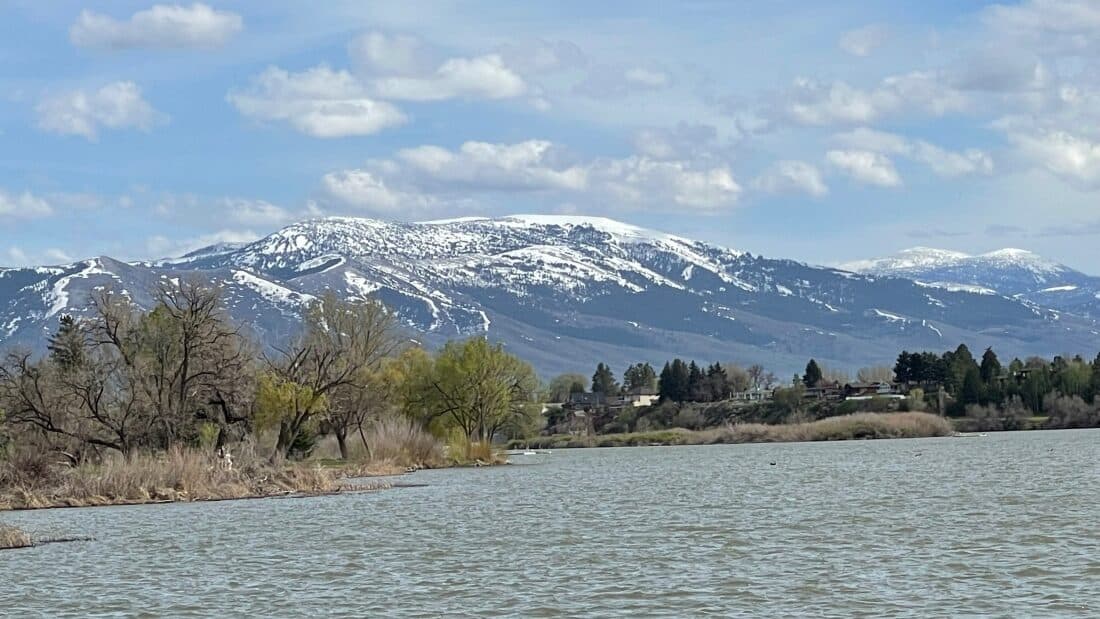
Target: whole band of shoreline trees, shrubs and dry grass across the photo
(180,404)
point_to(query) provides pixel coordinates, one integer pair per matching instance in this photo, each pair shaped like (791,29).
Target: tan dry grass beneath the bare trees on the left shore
(178,476)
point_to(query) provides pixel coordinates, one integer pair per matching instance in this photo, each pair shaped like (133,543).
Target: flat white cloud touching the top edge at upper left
(164,26)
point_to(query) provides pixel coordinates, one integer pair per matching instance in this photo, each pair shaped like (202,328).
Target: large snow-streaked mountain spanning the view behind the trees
(565,293)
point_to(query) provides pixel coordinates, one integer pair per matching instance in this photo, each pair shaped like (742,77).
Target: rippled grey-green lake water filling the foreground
(1008,525)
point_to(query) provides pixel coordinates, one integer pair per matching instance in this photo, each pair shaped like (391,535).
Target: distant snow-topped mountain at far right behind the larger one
(1015,273)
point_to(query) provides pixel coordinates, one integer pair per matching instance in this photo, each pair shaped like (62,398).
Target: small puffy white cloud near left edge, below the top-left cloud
(81,113)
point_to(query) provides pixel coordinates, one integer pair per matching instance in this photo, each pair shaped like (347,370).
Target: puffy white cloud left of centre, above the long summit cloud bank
(321,102)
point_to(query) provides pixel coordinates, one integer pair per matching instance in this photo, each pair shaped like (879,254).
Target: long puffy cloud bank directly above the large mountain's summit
(427,178)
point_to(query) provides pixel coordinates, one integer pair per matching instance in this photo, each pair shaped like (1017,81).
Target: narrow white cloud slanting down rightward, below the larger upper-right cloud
(943,162)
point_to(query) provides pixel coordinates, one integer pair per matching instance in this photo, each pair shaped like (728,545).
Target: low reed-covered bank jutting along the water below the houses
(863,426)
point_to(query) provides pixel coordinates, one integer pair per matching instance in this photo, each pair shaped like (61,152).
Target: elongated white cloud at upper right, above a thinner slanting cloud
(816,104)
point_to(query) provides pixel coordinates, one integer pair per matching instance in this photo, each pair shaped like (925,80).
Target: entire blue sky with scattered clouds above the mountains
(824,132)
